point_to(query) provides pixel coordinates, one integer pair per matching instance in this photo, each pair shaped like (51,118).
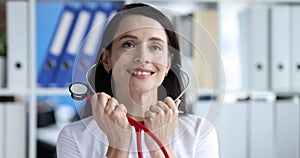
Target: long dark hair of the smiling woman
(171,84)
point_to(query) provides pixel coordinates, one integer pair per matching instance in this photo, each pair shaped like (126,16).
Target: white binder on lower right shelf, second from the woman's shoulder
(261,129)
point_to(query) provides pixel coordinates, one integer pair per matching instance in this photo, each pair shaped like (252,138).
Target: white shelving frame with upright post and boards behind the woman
(33,91)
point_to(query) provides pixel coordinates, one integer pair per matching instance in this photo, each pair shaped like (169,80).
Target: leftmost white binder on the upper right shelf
(255,47)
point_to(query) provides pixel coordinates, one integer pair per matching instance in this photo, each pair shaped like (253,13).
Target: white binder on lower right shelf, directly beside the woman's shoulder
(232,129)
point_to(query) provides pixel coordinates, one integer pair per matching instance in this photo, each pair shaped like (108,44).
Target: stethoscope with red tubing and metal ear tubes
(80,91)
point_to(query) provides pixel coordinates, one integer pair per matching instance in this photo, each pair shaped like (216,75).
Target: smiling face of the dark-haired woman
(139,56)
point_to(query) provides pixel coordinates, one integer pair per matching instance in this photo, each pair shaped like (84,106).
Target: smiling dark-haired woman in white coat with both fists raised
(135,79)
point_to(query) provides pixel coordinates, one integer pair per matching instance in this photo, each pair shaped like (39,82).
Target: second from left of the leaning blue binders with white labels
(63,75)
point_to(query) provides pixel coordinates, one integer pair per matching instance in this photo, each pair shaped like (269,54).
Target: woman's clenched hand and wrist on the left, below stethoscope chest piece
(111,118)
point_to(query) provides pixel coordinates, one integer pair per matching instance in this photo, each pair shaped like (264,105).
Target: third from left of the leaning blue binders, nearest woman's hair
(88,52)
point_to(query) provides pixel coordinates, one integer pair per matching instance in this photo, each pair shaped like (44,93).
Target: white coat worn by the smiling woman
(84,139)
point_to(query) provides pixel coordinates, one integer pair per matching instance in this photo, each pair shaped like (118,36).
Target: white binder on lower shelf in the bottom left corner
(13,130)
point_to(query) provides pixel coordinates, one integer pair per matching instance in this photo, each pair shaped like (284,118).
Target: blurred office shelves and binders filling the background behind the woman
(243,59)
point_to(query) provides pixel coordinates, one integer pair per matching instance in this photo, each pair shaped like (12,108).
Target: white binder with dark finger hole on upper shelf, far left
(17,46)
